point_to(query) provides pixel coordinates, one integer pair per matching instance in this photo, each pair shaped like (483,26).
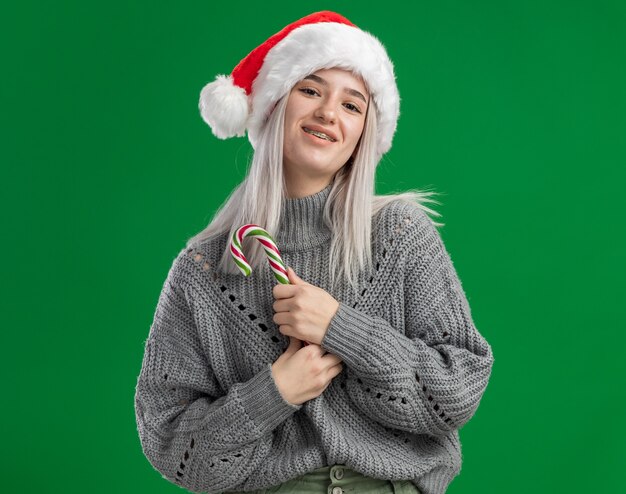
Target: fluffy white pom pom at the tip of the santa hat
(224,107)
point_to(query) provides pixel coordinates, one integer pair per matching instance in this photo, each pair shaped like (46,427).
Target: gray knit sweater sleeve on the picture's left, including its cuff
(192,433)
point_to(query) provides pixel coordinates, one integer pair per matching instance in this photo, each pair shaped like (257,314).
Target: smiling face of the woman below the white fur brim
(324,120)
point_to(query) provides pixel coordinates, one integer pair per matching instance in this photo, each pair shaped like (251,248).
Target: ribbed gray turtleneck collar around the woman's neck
(302,222)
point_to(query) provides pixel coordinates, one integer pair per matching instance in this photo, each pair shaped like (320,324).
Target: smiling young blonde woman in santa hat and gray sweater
(229,398)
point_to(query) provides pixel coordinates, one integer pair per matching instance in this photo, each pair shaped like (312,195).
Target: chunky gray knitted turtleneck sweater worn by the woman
(209,415)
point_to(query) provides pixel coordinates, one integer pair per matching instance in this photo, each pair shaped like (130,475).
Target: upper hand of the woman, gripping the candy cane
(303,311)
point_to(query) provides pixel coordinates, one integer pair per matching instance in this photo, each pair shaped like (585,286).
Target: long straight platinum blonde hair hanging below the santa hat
(348,211)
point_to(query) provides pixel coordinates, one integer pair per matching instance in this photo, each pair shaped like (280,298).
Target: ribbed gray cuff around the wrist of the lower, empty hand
(263,402)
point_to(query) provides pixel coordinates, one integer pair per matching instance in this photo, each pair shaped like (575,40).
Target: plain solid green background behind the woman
(514,111)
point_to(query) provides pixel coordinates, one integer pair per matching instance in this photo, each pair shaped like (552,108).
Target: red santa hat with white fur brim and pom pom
(245,98)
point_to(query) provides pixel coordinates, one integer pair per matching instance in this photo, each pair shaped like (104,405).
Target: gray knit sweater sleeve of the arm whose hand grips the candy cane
(429,378)
